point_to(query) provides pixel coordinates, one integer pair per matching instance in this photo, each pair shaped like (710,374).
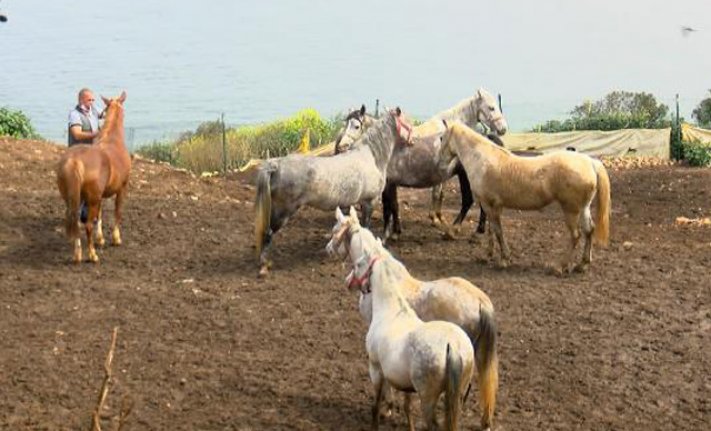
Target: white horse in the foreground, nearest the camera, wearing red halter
(408,354)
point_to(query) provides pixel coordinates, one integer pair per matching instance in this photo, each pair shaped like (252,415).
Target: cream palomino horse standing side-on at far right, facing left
(500,179)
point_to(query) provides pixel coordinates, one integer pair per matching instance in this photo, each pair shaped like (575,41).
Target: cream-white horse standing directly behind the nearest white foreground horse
(451,299)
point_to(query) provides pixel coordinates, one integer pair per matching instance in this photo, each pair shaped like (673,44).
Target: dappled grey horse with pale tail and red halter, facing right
(286,184)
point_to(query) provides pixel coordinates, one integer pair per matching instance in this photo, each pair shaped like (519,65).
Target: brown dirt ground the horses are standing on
(203,344)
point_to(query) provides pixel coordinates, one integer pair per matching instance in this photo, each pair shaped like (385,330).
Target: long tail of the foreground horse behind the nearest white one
(487,366)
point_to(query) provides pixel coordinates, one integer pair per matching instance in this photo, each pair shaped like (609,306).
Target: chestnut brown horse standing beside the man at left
(91,173)
